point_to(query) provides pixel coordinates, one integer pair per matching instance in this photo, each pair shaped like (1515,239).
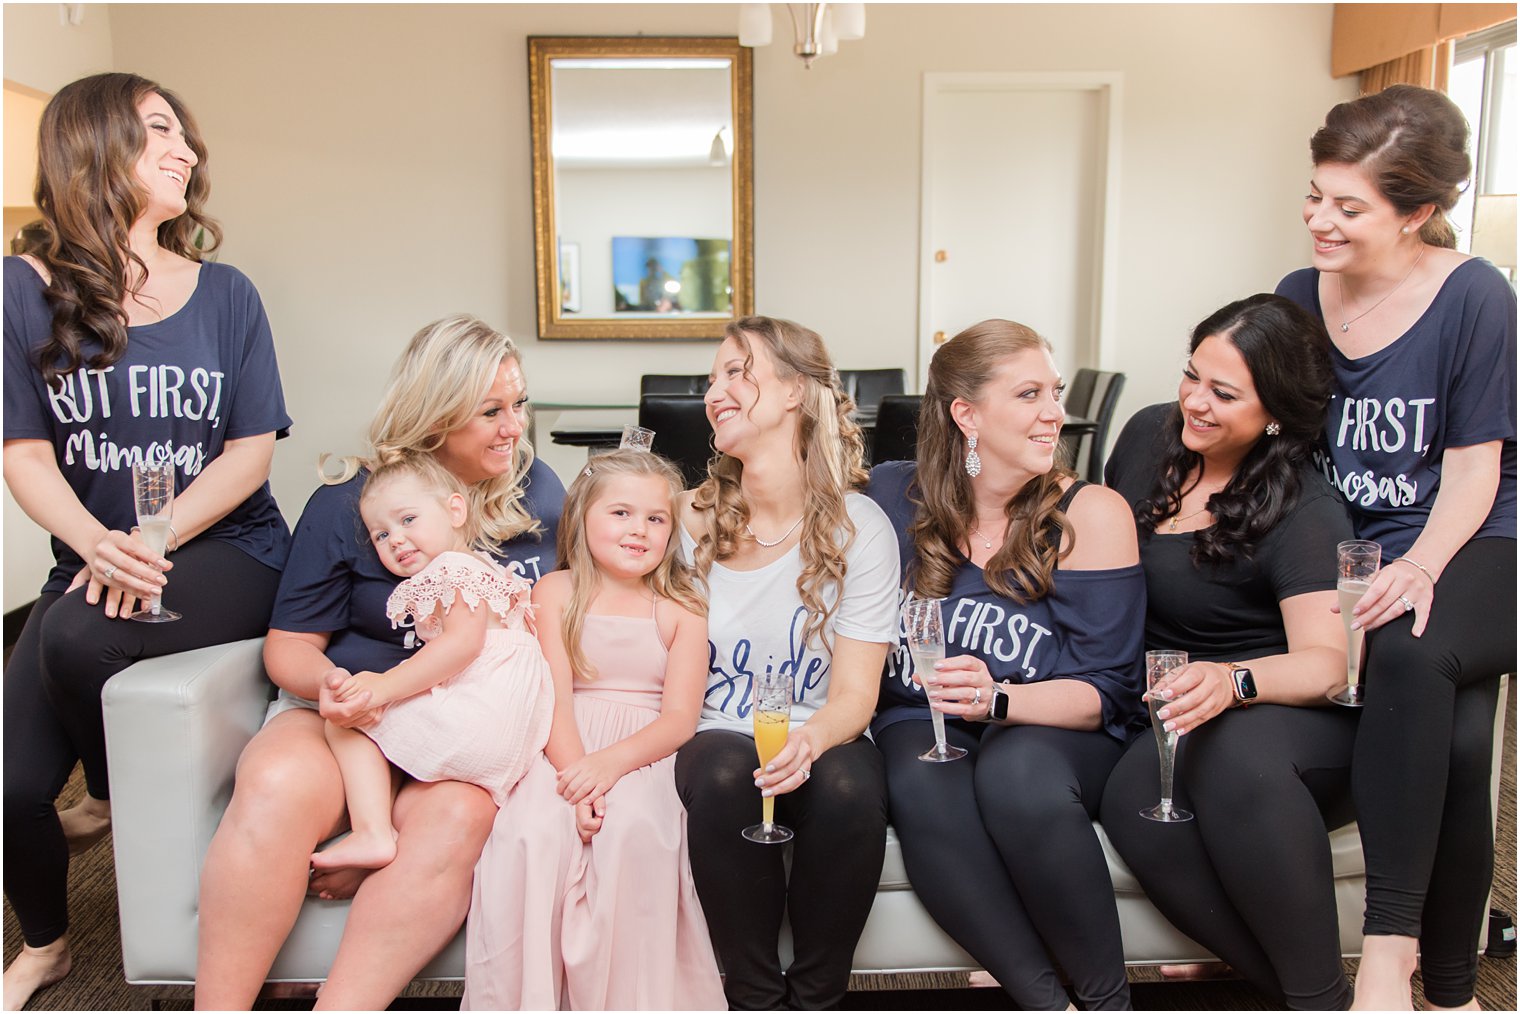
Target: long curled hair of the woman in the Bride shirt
(829,451)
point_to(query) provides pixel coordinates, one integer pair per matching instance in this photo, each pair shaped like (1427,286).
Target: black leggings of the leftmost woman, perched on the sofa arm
(52,706)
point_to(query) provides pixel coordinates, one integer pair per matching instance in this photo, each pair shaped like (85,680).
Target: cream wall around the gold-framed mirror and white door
(372,166)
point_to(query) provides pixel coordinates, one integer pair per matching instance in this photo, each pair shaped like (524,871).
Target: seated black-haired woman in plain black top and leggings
(1238,543)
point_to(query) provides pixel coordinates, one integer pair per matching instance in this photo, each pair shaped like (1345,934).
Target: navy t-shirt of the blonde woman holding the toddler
(337,585)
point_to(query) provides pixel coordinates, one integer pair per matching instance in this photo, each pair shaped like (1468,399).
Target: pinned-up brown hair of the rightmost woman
(1413,142)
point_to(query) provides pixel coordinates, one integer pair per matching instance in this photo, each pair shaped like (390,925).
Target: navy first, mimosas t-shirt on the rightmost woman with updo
(1446,382)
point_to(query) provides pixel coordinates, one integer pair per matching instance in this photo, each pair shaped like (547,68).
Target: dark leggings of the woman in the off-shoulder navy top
(1001,851)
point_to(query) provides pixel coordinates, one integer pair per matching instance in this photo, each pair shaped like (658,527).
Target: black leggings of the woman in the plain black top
(1250,878)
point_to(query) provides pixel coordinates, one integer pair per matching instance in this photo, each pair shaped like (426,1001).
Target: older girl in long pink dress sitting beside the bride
(625,635)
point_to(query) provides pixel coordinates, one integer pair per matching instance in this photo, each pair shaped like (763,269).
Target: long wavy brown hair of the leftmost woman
(89,194)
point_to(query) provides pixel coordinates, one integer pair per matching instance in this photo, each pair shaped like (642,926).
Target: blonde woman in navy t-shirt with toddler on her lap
(460,395)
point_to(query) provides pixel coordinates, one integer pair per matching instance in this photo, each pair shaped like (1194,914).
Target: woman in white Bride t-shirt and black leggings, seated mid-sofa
(802,575)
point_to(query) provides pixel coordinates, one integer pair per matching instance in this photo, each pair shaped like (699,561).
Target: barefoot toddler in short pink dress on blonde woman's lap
(475,703)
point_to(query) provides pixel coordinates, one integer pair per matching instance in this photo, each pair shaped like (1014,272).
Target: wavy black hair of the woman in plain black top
(1288,355)
